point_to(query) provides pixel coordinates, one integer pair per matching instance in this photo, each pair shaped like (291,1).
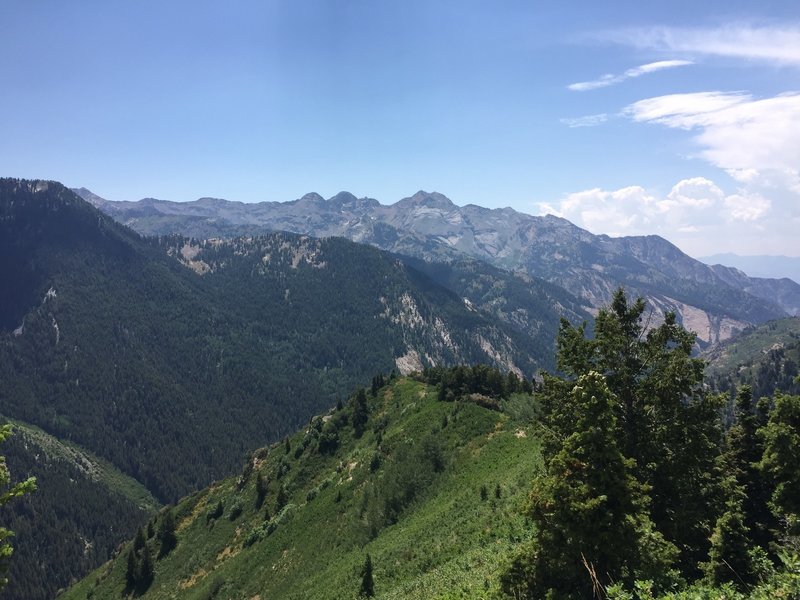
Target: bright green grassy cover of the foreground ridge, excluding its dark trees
(448,543)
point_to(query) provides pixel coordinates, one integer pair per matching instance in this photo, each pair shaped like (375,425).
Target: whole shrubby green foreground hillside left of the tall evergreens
(432,491)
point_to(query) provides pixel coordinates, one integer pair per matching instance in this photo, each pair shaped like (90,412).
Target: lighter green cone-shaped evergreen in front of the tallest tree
(592,526)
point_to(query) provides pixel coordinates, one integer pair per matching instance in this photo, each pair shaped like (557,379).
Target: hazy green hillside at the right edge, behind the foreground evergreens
(766,357)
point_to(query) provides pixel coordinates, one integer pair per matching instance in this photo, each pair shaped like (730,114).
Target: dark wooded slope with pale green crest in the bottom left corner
(82,510)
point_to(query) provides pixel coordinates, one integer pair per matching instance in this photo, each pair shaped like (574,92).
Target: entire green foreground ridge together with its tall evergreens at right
(617,478)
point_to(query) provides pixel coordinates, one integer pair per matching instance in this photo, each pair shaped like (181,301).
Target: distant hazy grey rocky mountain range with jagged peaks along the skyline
(715,302)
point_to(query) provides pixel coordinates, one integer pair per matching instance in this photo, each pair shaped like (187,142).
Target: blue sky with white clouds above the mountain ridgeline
(680,119)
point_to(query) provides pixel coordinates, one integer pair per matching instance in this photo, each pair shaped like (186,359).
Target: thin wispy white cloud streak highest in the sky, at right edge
(778,43)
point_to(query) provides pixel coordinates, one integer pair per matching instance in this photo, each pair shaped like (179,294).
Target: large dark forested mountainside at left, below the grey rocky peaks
(171,358)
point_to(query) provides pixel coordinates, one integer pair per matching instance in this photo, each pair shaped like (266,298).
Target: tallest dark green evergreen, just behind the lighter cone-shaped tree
(665,421)
